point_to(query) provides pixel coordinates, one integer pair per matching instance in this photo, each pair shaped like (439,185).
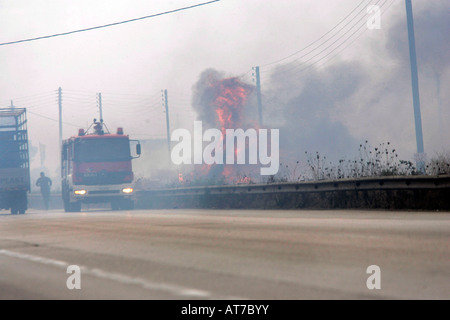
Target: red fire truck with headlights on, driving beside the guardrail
(96,167)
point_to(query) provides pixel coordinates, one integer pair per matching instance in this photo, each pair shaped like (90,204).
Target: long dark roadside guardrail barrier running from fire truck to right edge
(398,192)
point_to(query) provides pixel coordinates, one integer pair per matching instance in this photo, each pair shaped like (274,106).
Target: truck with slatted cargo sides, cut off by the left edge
(14,160)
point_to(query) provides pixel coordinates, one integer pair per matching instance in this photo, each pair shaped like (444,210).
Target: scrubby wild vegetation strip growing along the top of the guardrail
(380,161)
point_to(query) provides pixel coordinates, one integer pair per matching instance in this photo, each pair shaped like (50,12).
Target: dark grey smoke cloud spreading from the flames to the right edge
(335,108)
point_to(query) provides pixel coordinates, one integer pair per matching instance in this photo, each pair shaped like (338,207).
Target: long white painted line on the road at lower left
(117,277)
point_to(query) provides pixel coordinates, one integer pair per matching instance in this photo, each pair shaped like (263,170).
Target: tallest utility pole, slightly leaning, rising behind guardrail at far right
(420,157)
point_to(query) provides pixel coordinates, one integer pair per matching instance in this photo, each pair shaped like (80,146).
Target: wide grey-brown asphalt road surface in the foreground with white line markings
(217,254)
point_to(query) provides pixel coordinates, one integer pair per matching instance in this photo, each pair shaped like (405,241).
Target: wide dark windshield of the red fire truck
(102,150)
